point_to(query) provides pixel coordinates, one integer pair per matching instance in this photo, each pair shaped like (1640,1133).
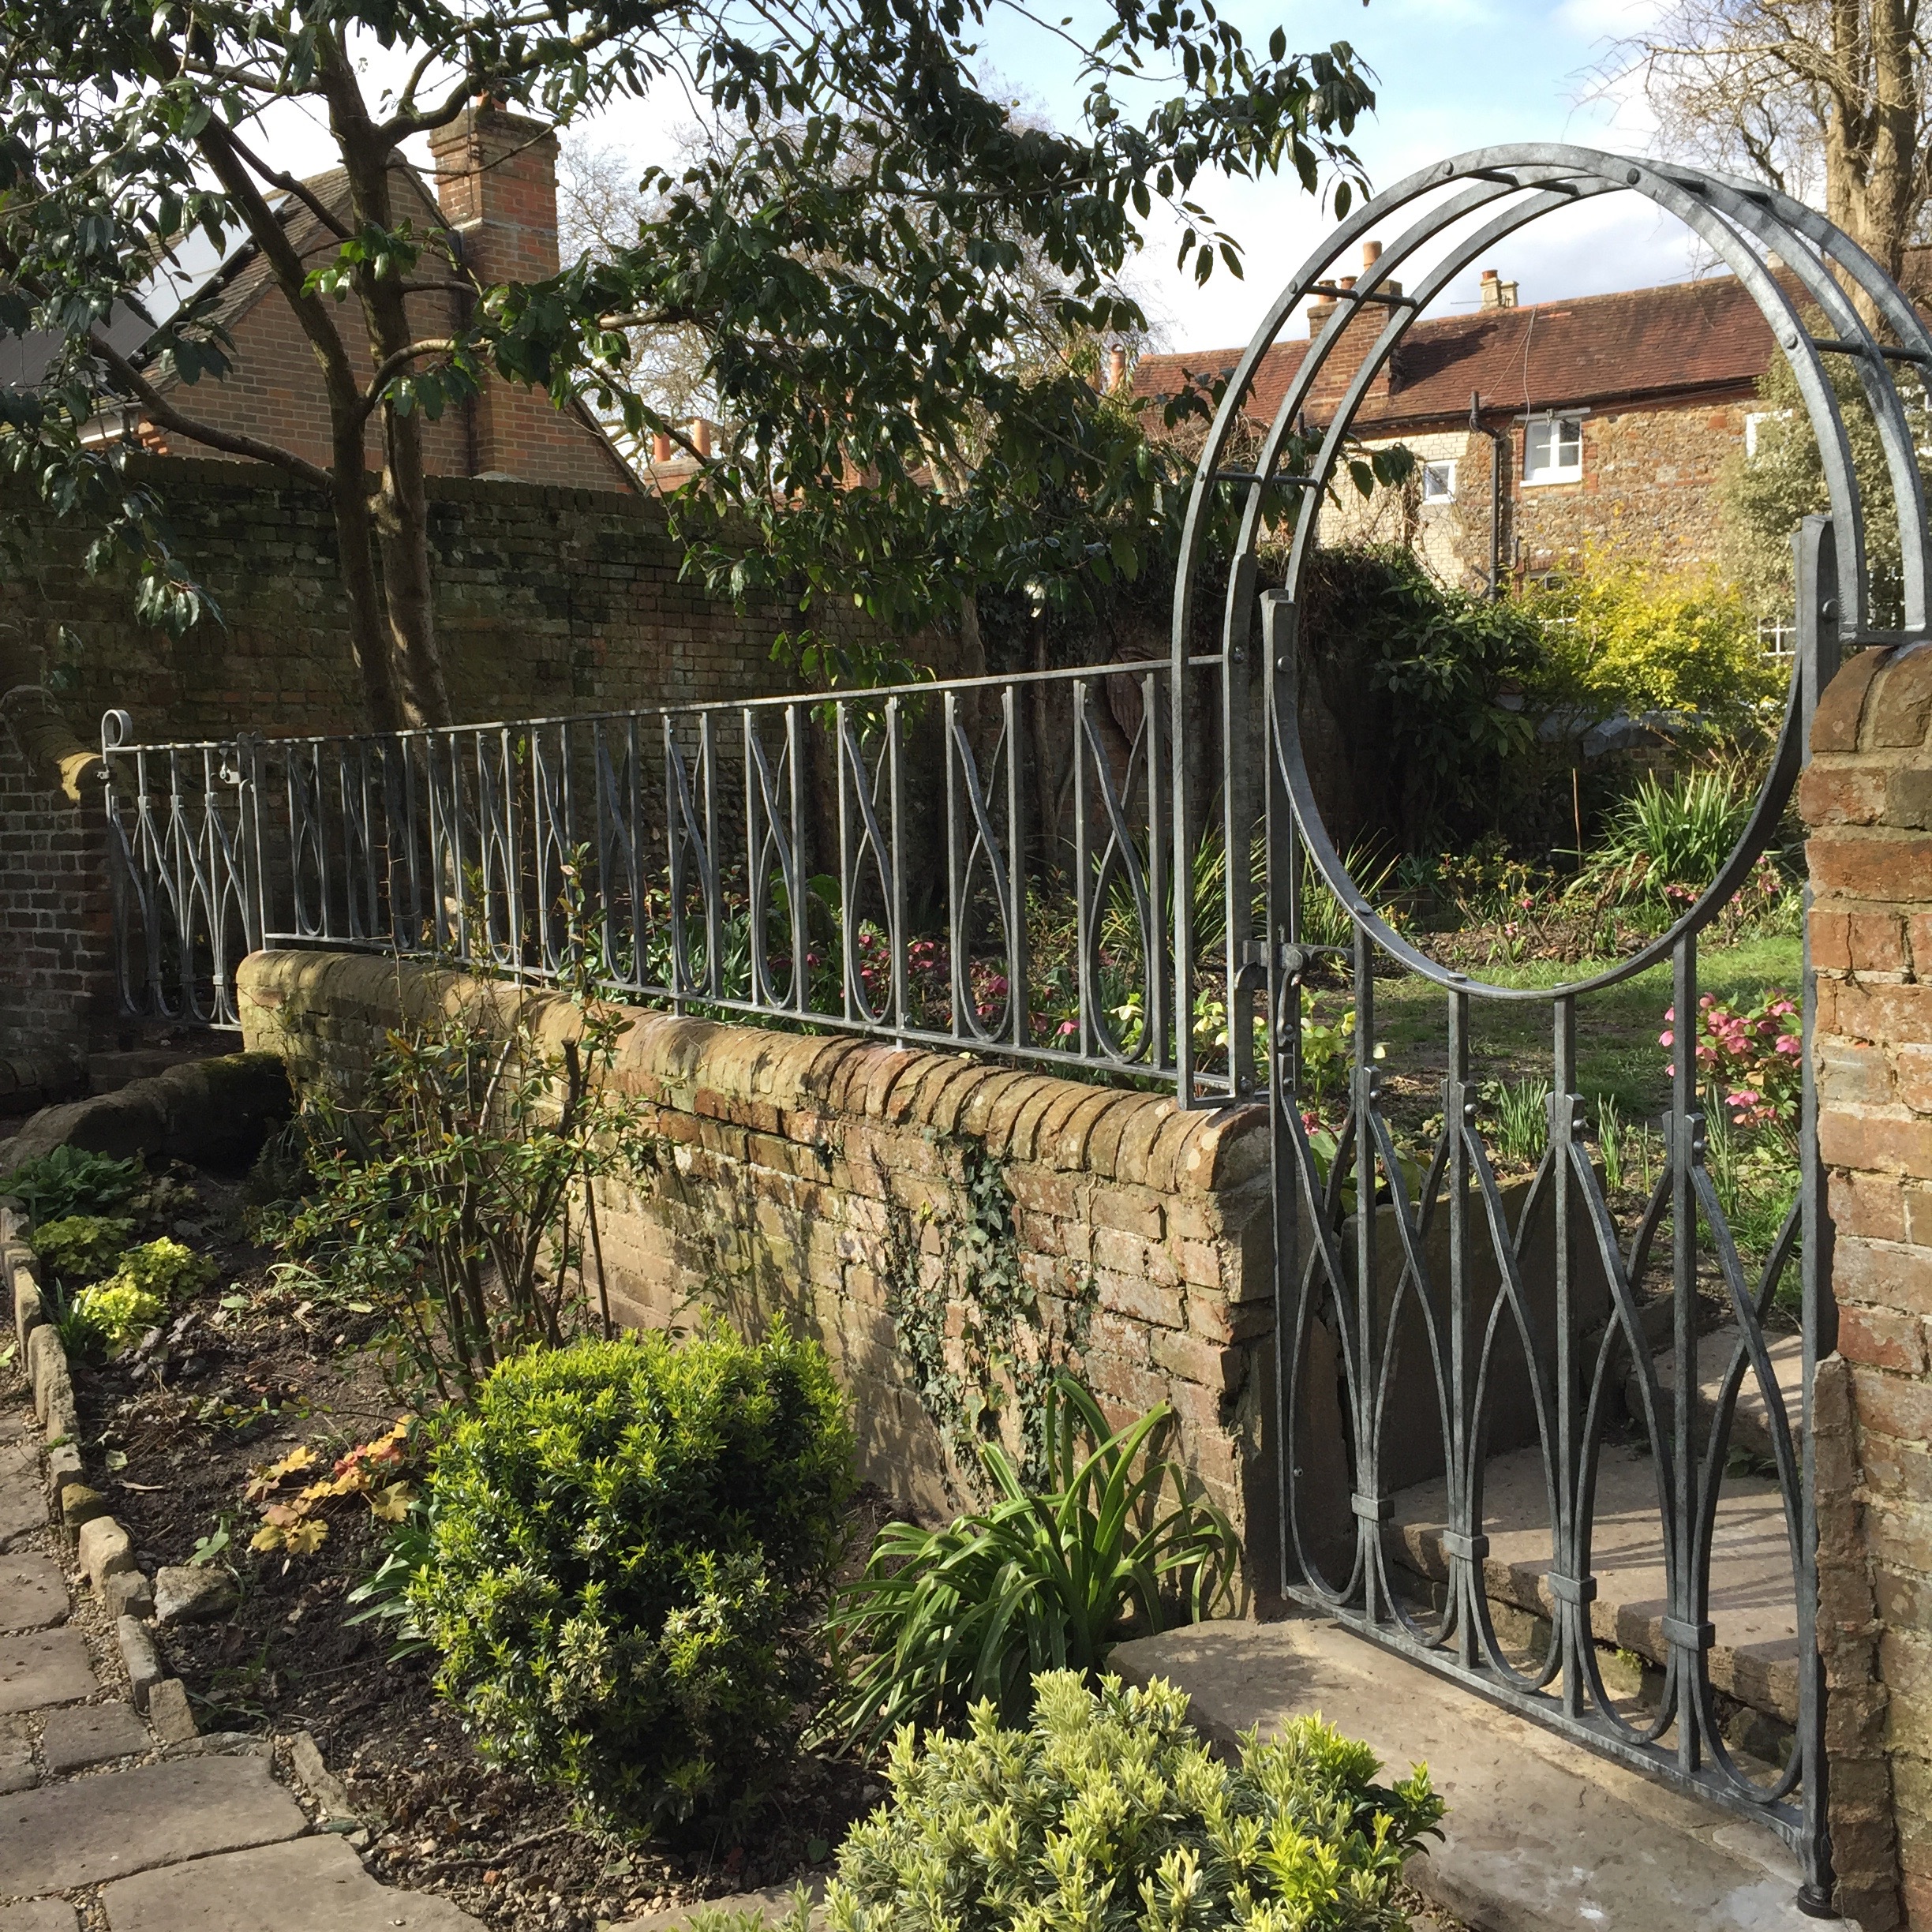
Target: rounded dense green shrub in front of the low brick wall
(633,1543)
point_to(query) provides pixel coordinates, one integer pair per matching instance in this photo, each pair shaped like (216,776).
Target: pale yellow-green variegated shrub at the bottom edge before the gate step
(1106,1811)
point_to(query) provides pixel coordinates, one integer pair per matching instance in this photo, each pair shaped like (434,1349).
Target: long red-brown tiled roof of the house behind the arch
(1591,353)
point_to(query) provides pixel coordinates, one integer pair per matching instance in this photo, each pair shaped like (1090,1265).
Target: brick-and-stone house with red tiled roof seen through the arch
(1614,418)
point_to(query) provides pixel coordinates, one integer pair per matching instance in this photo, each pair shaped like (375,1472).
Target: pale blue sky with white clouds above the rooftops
(1450,76)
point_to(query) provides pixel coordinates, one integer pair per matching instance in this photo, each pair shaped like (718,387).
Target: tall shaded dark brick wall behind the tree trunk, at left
(548,602)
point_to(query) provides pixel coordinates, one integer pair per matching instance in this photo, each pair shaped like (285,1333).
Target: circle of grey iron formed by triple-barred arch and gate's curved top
(1521,185)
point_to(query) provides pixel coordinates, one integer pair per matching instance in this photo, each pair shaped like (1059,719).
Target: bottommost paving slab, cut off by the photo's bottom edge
(310,1885)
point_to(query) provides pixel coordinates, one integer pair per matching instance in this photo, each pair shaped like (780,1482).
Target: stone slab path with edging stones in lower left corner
(105,1825)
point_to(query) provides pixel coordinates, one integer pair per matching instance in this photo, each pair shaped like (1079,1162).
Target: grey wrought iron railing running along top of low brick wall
(982,865)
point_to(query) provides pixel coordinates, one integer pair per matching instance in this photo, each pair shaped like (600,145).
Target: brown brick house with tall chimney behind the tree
(496,190)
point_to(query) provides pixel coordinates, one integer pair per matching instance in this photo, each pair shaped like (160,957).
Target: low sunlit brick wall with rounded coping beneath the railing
(828,1179)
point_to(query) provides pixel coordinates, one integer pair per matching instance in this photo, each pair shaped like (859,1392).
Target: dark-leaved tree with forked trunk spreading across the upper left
(859,252)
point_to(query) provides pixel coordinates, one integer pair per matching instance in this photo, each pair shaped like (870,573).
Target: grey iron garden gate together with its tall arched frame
(1469,206)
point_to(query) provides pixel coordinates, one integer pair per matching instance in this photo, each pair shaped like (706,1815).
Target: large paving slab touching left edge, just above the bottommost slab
(101,1829)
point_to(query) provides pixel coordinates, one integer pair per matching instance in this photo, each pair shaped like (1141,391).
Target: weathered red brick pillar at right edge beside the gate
(1867,801)
